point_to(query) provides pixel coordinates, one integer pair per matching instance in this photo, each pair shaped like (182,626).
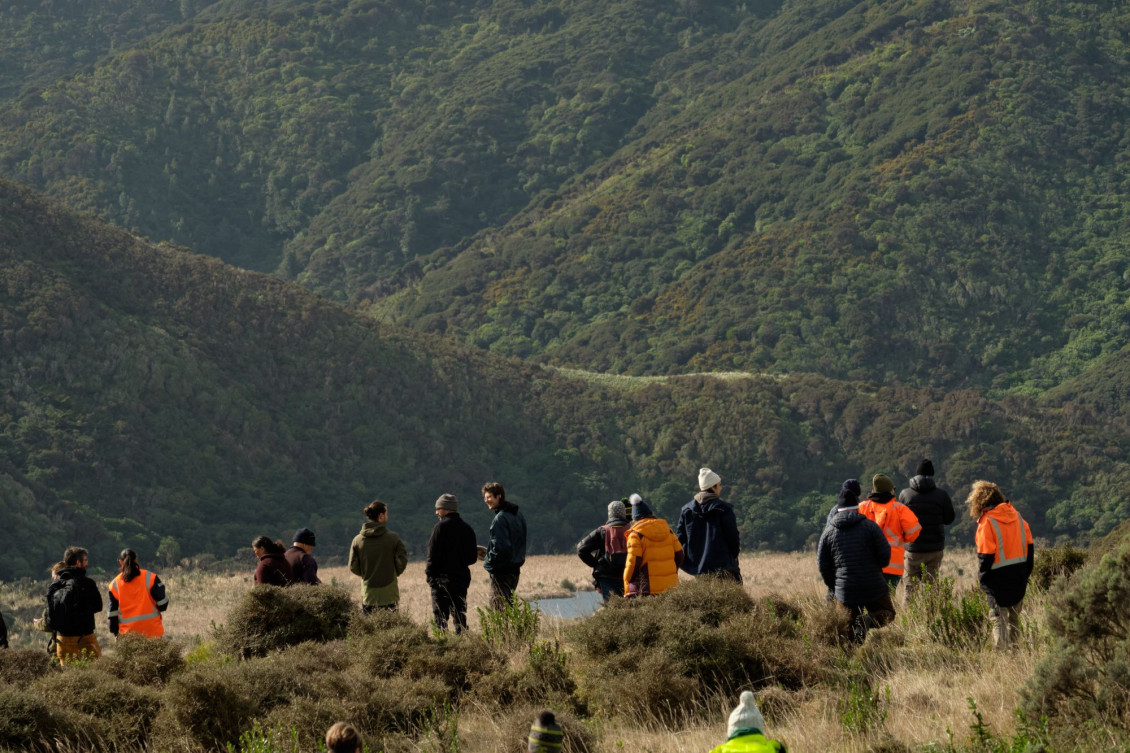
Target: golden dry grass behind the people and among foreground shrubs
(928,690)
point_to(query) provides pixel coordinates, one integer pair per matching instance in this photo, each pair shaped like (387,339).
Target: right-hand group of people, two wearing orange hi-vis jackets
(868,547)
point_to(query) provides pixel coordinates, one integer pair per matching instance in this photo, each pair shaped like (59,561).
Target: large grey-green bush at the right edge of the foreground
(1086,676)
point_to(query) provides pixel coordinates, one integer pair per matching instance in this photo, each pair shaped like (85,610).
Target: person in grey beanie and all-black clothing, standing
(451,551)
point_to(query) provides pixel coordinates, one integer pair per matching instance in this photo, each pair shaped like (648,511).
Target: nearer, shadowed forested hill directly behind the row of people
(153,395)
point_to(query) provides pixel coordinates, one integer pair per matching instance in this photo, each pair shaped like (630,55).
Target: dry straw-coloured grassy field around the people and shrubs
(919,695)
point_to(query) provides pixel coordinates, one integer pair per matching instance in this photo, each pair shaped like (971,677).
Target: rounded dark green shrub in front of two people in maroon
(270,618)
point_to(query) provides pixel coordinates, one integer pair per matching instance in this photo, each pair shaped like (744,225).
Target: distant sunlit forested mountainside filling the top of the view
(923,193)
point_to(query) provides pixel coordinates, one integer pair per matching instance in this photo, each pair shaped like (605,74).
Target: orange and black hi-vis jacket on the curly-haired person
(1006,560)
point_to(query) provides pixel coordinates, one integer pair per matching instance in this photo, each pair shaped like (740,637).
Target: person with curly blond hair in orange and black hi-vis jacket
(1006,555)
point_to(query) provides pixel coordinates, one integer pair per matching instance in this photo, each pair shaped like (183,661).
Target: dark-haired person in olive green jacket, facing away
(378,557)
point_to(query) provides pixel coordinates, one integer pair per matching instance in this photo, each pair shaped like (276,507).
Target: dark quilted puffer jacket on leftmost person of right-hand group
(853,555)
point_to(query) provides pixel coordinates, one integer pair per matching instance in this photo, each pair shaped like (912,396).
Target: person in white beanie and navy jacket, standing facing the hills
(709,531)
